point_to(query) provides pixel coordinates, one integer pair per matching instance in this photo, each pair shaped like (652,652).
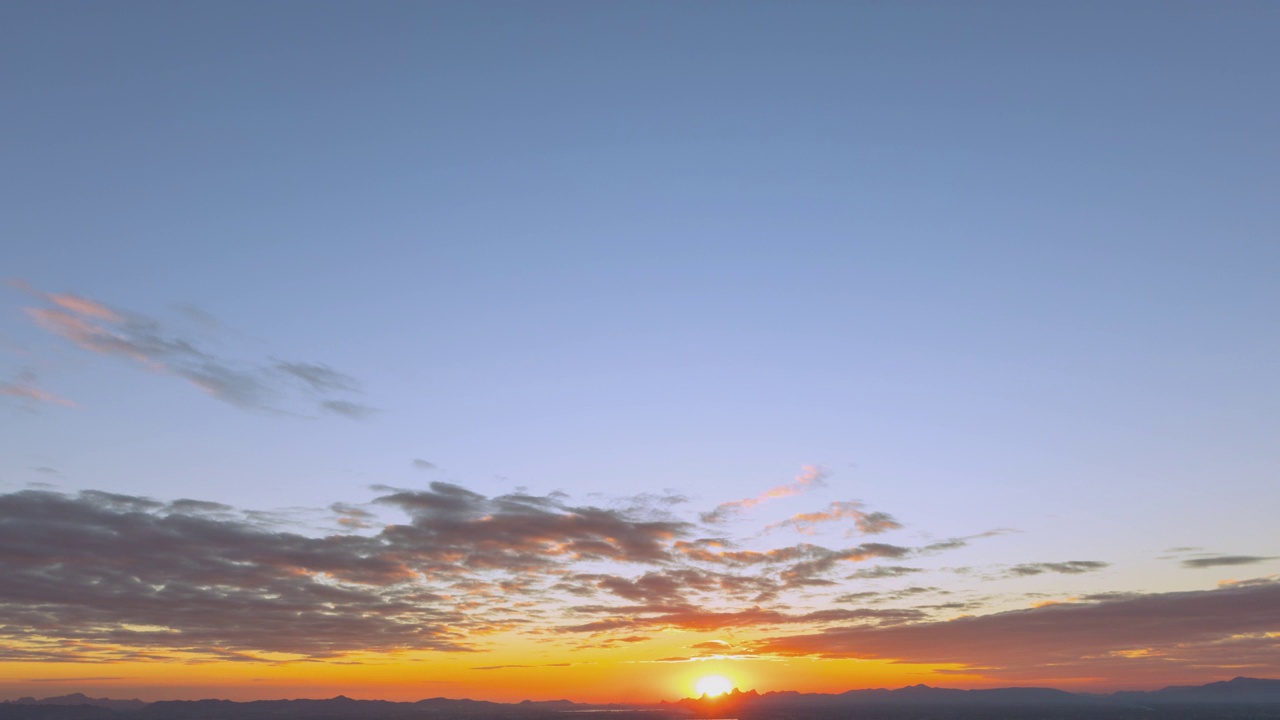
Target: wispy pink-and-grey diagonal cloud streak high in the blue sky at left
(143,340)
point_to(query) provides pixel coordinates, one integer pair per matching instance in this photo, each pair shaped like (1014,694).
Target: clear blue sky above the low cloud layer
(990,265)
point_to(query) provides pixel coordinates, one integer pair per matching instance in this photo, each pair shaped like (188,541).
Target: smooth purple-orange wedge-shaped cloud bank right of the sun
(1181,627)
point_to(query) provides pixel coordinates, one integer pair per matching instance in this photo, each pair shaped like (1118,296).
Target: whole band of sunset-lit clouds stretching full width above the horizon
(100,577)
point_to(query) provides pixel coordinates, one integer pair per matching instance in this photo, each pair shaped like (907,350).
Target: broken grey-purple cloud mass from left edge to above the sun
(103,577)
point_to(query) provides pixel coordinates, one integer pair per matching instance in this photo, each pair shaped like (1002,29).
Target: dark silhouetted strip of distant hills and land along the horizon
(1242,699)
